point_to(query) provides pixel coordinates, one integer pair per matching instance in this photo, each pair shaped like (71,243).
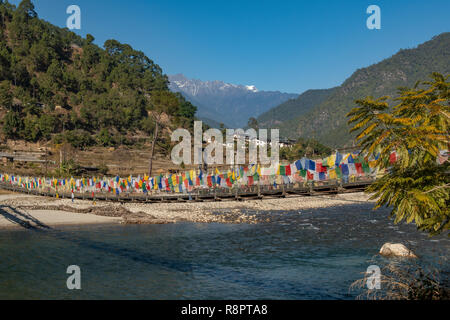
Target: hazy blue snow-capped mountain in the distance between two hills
(230,104)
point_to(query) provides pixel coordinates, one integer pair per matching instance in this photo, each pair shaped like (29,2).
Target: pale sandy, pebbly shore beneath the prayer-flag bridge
(17,210)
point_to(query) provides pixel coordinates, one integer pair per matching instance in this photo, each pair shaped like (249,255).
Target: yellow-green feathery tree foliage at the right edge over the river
(416,186)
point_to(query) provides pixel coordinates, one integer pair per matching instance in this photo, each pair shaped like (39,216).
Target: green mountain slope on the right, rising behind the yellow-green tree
(321,114)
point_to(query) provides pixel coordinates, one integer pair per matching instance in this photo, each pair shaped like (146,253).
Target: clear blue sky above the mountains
(291,46)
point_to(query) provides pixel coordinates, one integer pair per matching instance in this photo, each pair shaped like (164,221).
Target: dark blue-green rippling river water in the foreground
(307,254)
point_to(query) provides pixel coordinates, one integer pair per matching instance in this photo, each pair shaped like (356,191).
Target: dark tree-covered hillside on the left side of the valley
(55,85)
